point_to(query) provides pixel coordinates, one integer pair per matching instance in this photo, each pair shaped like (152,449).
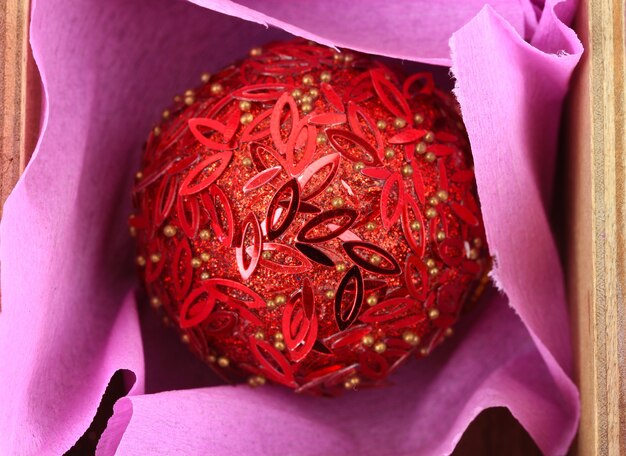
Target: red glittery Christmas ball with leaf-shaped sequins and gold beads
(309,218)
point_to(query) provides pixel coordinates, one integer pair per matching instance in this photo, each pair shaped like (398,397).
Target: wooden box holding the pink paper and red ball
(591,226)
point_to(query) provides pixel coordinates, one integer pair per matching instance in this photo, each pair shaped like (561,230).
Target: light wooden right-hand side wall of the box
(595,256)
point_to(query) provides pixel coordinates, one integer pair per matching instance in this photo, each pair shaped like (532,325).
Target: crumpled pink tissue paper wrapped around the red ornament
(69,317)
